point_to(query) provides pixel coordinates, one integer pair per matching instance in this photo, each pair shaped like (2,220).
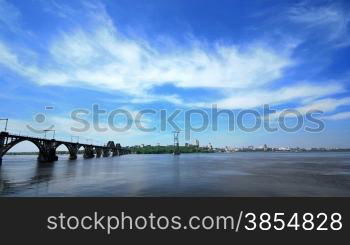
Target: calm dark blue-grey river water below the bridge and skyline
(216,174)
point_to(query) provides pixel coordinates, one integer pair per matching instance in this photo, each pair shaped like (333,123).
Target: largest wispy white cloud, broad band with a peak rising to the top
(98,55)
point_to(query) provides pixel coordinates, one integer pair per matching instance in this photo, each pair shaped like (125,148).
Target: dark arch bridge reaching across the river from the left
(47,147)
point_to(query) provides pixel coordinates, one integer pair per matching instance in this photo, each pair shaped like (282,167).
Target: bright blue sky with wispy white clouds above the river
(176,55)
